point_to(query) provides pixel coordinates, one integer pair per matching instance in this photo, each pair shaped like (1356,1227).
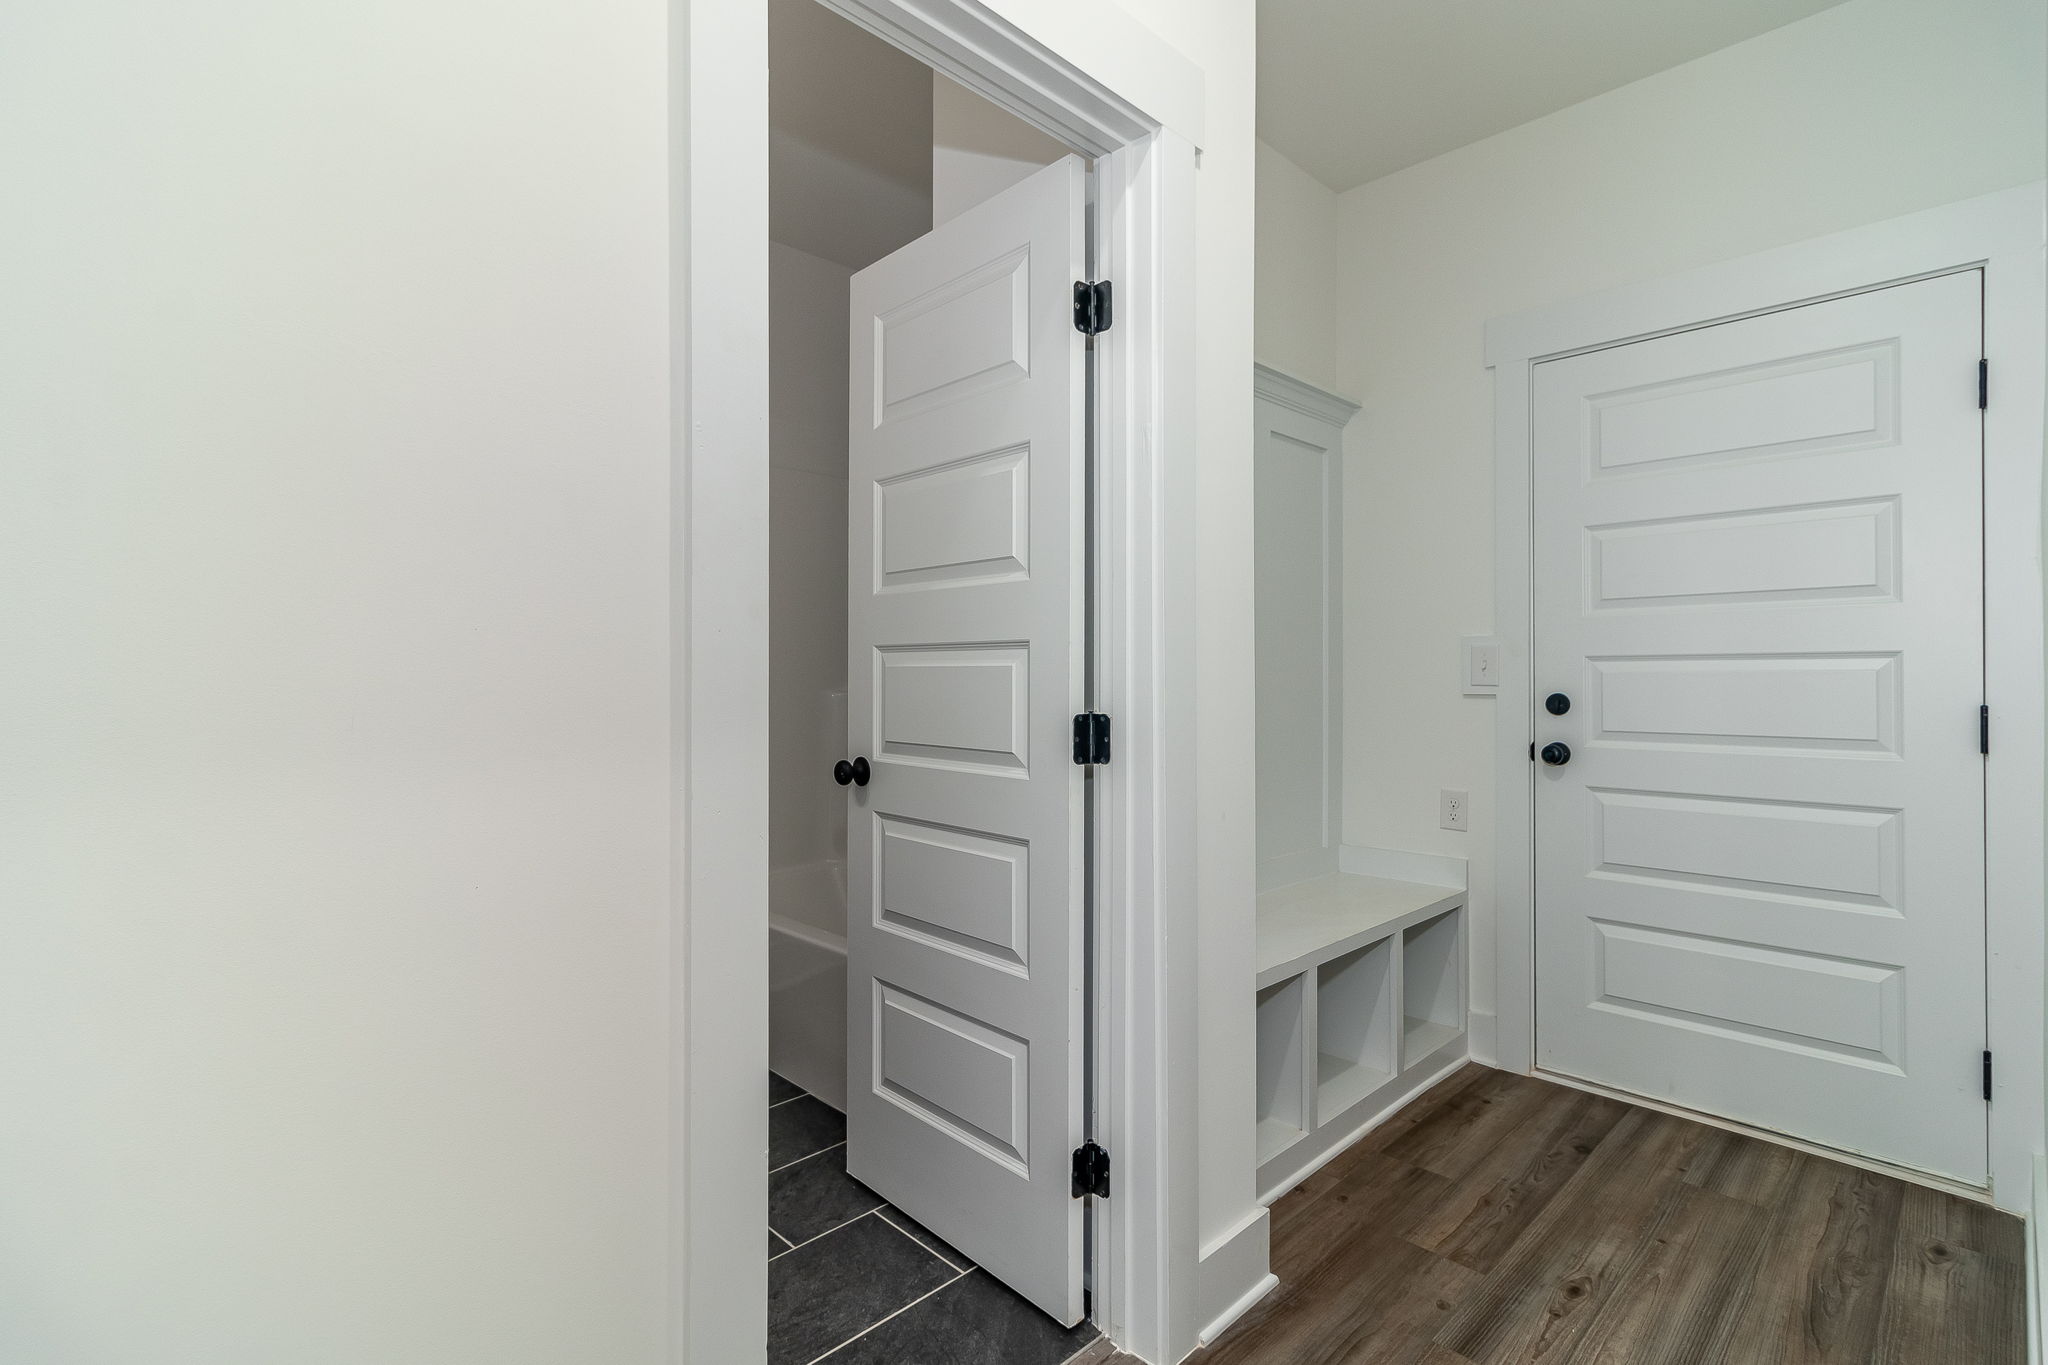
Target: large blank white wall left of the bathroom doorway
(335,711)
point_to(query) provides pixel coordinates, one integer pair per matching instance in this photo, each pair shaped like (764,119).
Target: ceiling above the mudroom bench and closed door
(1357,89)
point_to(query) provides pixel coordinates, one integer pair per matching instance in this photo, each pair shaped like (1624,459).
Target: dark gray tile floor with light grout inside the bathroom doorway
(855,1282)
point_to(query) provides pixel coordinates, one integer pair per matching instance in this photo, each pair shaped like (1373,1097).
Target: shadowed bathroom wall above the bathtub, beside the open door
(806,556)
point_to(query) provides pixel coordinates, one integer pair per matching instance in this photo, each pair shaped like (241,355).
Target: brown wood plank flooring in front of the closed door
(1504,1221)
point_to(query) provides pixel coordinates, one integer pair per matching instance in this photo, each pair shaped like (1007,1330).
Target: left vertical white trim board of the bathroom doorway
(718,682)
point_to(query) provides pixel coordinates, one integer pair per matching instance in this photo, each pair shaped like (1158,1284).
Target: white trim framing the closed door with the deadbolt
(2004,236)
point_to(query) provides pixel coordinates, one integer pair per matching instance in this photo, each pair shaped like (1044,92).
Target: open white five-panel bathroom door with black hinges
(966,668)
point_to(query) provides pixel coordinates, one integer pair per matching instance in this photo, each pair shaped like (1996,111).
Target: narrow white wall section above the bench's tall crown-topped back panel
(1295,320)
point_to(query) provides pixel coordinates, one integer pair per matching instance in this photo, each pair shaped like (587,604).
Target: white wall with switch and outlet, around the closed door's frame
(1854,116)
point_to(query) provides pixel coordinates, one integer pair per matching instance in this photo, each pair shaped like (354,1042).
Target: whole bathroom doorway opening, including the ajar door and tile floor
(929,496)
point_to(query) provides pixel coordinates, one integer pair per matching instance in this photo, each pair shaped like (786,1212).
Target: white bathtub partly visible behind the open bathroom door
(808,977)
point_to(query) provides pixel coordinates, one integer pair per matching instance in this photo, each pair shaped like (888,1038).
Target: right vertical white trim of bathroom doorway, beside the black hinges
(1148,1276)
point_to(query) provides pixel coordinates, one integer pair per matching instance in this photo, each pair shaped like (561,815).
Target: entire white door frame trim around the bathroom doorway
(1142,120)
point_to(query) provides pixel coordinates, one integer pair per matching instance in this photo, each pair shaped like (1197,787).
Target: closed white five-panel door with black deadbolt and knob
(1760,875)
